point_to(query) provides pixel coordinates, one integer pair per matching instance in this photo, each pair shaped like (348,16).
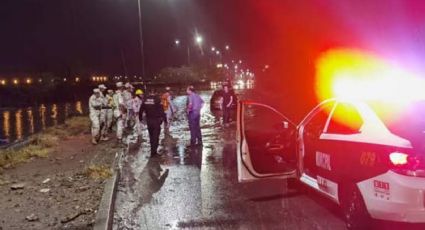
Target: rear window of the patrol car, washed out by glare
(406,120)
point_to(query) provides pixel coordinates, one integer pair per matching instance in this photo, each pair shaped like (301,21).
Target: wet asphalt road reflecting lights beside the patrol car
(198,188)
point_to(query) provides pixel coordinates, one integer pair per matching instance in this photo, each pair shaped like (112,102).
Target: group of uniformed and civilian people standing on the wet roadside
(127,108)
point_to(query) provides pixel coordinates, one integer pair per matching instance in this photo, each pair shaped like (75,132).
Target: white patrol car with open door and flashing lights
(355,153)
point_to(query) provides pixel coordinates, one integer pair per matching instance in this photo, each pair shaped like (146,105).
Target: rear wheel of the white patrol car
(354,209)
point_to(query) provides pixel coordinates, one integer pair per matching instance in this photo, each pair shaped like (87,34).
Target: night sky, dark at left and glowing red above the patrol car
(51,35)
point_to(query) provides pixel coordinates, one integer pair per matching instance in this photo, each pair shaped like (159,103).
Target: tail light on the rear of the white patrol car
(407,165)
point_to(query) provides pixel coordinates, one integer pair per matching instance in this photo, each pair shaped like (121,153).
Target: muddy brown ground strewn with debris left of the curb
(60,191)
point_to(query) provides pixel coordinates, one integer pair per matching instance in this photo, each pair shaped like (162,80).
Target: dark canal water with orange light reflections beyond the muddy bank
(18,123)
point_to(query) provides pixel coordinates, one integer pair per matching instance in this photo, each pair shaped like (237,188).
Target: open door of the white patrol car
(266,143)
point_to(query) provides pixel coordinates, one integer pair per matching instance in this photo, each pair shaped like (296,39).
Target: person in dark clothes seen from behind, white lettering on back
(151,106)
